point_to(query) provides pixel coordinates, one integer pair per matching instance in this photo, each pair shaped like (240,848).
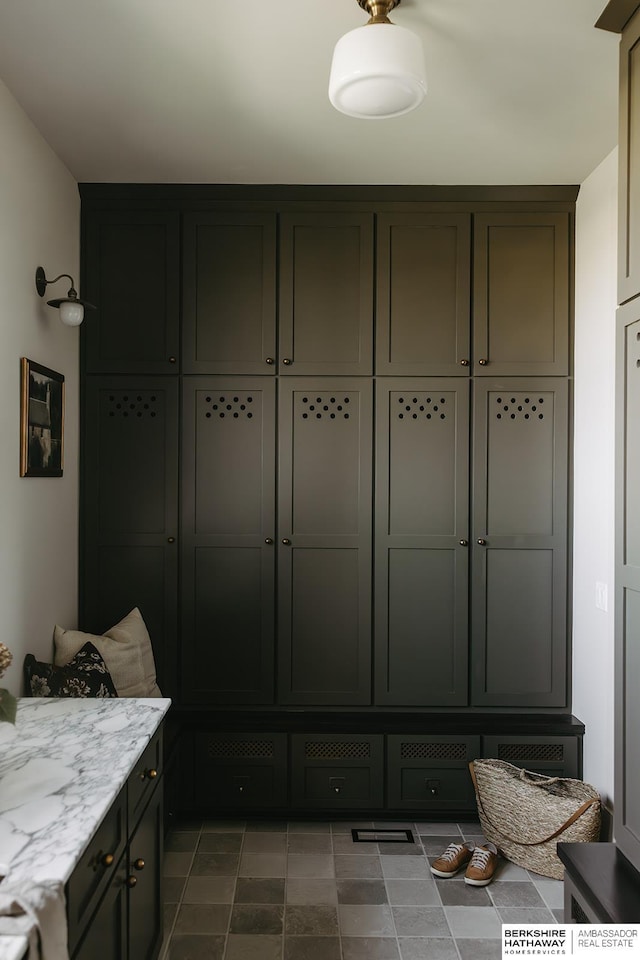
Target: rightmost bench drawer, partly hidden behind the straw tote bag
(552,756)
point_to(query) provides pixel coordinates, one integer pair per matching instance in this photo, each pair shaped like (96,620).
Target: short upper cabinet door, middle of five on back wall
(326,293)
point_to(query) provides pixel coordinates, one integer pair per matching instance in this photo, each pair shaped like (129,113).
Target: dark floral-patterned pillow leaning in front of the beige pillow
(84,676)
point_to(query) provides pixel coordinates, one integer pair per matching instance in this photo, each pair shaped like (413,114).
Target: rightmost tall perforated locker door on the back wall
(520,543)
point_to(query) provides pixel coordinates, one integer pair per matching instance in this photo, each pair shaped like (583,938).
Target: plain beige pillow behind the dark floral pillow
(126,650)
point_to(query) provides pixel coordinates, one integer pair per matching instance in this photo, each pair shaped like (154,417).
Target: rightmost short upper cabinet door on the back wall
(521,294)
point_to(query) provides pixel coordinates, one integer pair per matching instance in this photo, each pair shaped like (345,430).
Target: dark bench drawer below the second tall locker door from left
(240,770)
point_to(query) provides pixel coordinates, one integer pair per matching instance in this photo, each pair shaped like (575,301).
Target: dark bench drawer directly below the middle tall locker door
(337,770)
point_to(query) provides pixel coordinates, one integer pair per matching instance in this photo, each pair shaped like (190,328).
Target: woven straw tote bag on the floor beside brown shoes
(525,814)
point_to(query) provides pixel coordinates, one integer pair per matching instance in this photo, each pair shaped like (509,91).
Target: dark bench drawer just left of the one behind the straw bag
(430,771)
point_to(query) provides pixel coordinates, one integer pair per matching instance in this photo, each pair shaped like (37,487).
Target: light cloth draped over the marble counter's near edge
(37,911)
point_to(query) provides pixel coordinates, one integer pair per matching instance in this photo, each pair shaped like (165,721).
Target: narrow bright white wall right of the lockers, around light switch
(593,552)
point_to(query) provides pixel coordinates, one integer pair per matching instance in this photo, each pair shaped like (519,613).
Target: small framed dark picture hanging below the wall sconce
(41,421)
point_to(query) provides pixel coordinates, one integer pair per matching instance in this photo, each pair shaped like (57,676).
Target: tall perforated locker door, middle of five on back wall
(325,517)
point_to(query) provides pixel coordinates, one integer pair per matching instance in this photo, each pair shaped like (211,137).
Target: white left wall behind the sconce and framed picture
(39,225)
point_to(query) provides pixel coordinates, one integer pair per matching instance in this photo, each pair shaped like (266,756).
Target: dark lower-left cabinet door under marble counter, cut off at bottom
(106,936)
